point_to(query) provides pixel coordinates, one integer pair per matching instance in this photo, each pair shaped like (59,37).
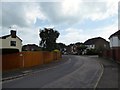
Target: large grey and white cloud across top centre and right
(55,12)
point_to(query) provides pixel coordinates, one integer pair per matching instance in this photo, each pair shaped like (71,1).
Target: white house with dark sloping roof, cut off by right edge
(115,39)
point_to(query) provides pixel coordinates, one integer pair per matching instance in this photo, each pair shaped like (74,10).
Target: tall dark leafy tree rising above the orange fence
(48,39)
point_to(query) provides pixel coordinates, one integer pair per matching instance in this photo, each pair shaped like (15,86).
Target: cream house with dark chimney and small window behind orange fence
(11,41)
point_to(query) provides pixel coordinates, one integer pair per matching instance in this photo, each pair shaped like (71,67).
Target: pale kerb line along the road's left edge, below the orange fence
(25,74)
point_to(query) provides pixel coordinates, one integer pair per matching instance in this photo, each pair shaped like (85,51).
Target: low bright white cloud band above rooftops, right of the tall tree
(74,35)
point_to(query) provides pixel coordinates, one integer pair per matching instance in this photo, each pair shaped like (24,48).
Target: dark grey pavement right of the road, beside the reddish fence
(110,78)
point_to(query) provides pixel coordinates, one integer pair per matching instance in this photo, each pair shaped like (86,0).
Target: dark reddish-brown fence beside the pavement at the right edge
(113,53)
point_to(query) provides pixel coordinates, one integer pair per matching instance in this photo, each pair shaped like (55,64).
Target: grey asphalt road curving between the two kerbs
(76,72)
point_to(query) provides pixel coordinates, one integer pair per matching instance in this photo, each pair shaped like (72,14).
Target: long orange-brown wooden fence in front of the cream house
(27,59)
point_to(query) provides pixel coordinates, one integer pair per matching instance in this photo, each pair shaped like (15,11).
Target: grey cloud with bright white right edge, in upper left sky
(21,14)
